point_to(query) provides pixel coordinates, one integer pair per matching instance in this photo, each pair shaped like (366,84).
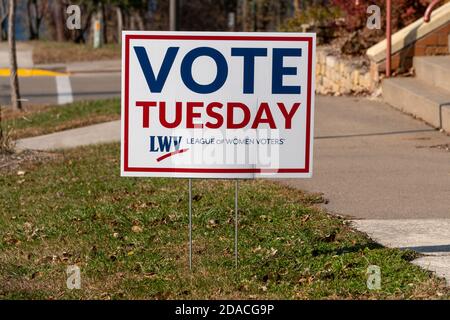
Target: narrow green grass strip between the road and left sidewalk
(38,120)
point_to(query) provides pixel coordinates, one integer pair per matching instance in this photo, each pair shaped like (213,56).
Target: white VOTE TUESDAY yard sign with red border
(217,105)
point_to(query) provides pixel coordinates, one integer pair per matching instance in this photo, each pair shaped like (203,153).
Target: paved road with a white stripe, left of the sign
(87,80)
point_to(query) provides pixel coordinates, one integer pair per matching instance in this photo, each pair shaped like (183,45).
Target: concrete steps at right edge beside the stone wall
(427,96)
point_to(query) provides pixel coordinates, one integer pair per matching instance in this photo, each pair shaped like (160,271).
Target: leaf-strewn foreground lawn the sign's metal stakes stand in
(129,236)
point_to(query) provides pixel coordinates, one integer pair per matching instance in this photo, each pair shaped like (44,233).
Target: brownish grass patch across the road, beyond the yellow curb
(60,52)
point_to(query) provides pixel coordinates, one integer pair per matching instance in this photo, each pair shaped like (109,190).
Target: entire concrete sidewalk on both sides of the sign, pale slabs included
(384,170)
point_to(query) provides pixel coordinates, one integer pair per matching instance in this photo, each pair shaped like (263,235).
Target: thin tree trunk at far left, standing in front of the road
(14,80)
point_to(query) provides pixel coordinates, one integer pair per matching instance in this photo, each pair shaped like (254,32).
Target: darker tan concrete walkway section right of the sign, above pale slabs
(374,162)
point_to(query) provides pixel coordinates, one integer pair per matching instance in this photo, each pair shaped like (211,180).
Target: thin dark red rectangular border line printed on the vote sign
(129,37)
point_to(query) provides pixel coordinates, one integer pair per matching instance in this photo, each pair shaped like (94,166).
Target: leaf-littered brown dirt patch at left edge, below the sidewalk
(10,163)
